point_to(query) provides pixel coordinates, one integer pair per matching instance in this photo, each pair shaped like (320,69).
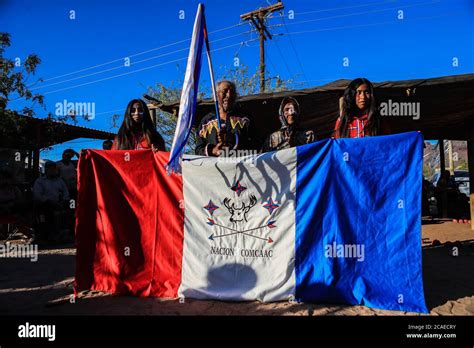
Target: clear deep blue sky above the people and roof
(309,48)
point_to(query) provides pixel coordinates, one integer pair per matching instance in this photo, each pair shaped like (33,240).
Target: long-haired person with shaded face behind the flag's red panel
(137,131)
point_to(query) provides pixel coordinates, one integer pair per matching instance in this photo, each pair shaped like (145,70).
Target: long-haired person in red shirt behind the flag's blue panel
(359,116)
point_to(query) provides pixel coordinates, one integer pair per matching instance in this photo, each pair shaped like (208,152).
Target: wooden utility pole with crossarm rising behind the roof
(257,18)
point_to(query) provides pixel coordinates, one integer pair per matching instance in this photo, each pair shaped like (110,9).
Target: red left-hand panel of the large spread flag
(132,204)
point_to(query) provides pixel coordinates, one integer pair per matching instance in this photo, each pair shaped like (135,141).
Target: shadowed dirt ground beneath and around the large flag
(46,288)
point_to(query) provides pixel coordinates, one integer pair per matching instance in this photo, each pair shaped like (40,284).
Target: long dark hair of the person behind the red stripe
(126,131)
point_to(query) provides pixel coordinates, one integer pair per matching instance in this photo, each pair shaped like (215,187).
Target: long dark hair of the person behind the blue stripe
(349,109)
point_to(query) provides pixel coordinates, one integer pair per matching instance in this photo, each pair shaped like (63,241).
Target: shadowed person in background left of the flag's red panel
(51,197)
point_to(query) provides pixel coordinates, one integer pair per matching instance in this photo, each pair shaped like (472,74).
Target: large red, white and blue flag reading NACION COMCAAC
(335,221)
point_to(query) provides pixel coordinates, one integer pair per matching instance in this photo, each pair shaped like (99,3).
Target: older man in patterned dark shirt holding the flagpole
(235,131)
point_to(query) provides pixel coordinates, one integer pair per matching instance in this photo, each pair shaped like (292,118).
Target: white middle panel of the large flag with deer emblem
(228,272)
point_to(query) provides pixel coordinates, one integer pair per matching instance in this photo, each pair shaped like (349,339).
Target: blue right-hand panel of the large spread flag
(363,195)
